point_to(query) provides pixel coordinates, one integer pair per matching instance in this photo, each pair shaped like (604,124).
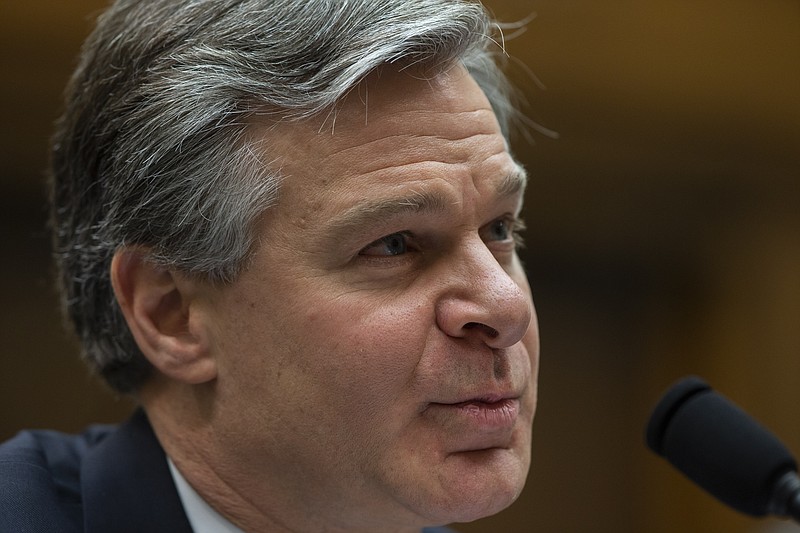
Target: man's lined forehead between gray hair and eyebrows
(396,130)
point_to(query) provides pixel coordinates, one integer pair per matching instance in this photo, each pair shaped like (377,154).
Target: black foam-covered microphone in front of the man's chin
(725,451)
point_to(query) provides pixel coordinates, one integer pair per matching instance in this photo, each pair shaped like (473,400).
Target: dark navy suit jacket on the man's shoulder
(104,480)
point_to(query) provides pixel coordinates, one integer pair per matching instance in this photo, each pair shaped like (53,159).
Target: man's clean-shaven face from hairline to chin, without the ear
(377,359)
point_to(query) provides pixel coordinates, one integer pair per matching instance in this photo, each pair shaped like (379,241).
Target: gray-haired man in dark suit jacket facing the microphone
(288,230)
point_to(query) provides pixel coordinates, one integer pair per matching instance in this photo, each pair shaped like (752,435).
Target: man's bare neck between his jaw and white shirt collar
(186,425)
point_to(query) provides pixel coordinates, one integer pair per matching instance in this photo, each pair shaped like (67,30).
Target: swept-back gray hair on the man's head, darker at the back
(154,147)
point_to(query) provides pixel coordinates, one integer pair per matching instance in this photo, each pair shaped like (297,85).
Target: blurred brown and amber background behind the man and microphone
(663,240)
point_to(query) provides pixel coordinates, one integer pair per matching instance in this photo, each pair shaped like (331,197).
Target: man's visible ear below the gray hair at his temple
(162,310)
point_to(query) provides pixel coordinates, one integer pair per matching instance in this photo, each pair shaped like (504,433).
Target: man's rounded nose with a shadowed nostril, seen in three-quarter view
(483,301)
